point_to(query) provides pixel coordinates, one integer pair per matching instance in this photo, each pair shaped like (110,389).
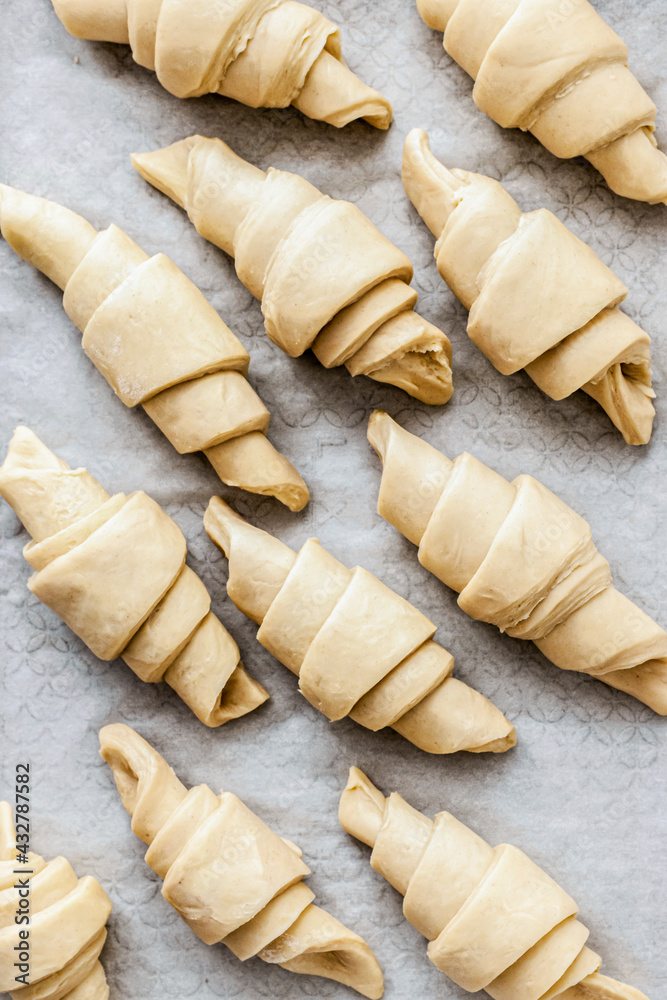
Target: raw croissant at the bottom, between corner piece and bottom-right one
(229,876)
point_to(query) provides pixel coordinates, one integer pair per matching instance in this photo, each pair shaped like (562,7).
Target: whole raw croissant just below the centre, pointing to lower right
(357,648)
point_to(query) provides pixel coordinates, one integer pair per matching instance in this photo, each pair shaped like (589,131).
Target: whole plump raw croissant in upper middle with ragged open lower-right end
(326,277)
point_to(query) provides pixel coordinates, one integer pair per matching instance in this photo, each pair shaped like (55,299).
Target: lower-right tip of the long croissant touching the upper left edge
(252,463)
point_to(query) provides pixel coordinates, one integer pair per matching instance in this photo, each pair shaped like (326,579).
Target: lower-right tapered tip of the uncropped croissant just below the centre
(456,717)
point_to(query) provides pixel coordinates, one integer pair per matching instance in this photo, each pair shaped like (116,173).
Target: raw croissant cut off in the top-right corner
(556,69)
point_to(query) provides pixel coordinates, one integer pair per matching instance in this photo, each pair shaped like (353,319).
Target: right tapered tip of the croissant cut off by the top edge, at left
(334,94)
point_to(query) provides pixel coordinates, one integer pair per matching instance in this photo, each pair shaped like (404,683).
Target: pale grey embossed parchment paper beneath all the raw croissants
(584,791)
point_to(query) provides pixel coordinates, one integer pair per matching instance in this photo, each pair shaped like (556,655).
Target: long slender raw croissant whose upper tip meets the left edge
(157,341)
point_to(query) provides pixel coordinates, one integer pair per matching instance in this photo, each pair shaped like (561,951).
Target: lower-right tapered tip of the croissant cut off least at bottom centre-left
(325,947)
